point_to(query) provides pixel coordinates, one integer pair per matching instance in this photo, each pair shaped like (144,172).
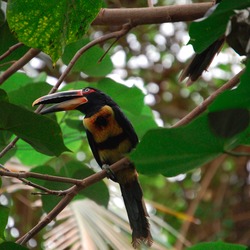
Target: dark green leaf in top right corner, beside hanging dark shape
(204,33)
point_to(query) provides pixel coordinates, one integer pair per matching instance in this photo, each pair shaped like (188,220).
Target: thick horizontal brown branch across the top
(156,15)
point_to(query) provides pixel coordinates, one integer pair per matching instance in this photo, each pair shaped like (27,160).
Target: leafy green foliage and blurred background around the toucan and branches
(196,188)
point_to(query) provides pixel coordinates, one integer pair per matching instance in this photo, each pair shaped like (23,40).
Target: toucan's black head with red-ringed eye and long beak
(87,100)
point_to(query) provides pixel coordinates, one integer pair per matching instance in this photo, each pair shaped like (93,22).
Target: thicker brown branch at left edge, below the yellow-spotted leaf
(19,64)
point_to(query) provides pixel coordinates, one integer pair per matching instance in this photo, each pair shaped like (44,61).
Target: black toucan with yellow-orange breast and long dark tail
(111,136)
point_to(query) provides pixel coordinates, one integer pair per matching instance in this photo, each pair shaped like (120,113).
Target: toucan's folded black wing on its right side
(126,125)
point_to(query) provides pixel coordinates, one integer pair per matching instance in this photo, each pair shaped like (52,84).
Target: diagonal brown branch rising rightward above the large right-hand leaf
(202,107)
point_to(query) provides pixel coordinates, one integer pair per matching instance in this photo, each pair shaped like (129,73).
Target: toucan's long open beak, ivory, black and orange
(66,100)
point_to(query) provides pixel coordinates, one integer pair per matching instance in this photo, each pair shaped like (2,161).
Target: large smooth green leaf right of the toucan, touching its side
(178,150)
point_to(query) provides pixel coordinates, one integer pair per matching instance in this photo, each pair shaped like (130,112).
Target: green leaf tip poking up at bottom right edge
(217,246)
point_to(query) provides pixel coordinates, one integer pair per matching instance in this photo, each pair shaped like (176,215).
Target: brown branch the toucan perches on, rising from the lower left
(121,164)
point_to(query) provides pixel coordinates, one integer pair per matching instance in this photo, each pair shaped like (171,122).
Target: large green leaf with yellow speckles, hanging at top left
(50,25)
